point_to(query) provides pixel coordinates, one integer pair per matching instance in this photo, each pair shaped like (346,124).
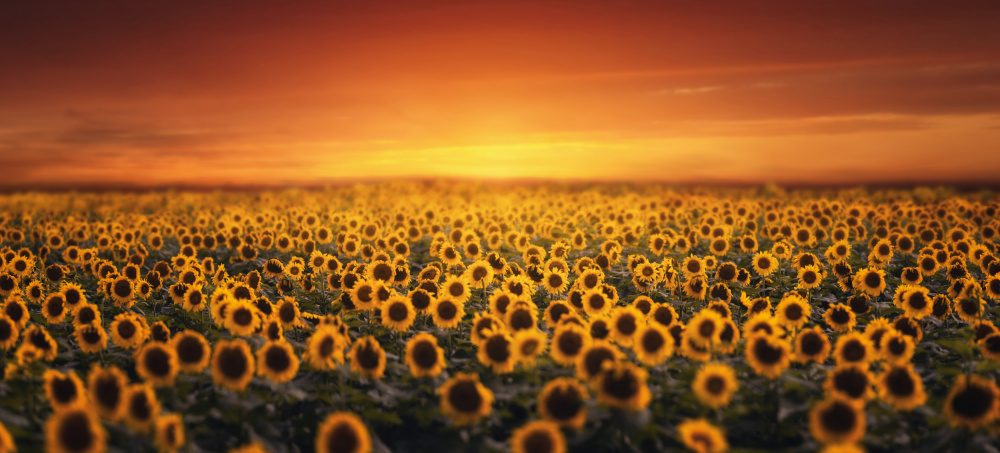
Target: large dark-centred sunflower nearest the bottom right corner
(973,402)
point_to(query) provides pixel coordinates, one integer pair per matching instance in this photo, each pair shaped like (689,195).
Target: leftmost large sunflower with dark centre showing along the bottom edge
(75,430)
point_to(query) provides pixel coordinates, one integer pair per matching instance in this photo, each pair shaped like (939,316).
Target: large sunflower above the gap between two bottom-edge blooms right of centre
(622,385)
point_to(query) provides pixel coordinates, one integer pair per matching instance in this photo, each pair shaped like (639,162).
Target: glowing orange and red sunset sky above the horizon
(223,93)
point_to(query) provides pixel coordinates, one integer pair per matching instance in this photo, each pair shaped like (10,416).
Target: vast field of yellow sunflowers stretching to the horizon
(541,318)
